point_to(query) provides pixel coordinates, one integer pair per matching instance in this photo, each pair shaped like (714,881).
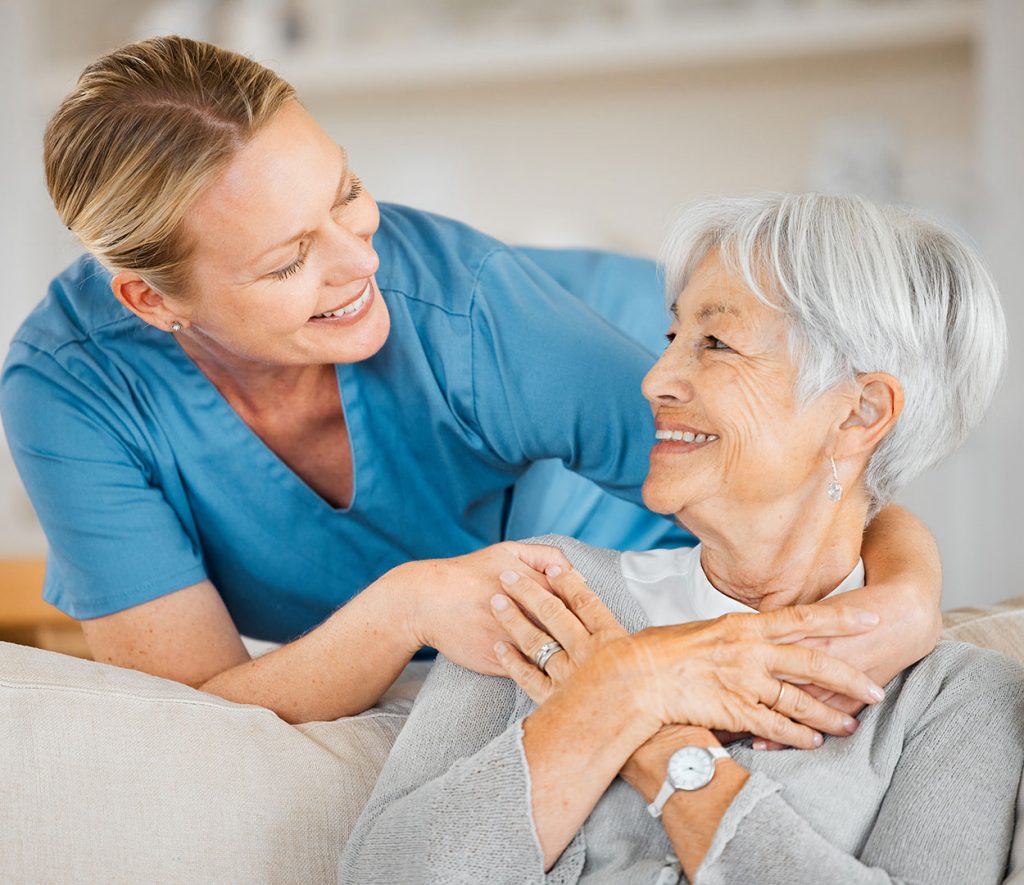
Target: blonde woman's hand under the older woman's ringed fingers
(445,603)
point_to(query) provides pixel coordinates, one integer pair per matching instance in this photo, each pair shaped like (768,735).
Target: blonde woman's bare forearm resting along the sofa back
(339,669)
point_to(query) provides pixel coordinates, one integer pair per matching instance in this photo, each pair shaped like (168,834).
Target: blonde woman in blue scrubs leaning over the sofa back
(261,393)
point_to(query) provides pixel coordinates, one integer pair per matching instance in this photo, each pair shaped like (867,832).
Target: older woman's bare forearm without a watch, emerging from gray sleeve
(576,744)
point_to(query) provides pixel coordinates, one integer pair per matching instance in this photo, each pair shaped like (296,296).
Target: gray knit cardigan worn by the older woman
(924,792)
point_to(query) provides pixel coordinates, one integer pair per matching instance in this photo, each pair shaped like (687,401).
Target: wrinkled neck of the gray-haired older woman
(788,554)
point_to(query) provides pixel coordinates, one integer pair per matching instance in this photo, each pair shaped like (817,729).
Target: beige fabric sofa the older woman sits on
(114,777)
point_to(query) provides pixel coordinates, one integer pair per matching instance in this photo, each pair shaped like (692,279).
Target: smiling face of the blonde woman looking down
(284,236)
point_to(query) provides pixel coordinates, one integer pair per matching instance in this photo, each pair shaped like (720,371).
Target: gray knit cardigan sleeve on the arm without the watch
(447,811)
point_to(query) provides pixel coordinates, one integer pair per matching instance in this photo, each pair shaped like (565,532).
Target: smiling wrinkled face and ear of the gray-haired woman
(728,377)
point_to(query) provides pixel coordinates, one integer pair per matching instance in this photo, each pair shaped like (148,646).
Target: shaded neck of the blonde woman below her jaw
(250,387)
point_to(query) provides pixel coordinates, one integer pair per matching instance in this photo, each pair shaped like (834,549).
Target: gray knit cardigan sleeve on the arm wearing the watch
(948,816)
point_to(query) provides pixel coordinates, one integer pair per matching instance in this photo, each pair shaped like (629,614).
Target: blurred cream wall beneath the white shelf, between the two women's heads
(607,159)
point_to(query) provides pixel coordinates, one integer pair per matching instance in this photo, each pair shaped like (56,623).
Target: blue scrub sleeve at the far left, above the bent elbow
(114,539)
